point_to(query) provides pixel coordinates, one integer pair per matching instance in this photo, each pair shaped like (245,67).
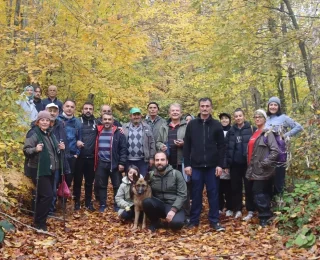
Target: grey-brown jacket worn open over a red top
(264,157)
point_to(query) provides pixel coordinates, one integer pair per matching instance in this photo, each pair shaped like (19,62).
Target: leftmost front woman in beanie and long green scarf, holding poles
(42,149)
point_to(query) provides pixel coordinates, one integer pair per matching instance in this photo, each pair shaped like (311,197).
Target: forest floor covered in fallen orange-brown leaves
(94,235)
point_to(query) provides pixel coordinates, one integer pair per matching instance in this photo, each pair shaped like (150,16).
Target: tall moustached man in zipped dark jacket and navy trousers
(203,153)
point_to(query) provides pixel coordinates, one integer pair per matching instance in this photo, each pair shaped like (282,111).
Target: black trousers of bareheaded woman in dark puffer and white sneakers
(237,174)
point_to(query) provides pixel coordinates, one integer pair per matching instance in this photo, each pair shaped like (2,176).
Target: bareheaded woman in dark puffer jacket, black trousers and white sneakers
(236,147)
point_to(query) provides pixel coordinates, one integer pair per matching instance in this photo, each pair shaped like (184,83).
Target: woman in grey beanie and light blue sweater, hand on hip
(280,123)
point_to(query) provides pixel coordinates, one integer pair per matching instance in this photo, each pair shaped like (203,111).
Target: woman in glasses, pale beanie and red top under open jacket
(262,155)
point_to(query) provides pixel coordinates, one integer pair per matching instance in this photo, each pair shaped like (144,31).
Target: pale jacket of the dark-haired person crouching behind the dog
(123,198)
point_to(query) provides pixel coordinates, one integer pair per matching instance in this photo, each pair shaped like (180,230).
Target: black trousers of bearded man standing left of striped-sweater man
(84,168)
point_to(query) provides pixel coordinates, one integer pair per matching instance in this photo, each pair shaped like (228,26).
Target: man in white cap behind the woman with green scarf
(59,132)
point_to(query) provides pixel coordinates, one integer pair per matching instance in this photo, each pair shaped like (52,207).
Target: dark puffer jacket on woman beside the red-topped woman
(236,144)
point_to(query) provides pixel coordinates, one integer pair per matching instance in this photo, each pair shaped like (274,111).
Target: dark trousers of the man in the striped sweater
(103,173)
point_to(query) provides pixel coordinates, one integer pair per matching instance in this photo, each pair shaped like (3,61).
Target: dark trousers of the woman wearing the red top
(261,194)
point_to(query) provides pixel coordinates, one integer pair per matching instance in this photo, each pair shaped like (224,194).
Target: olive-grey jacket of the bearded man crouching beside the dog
(170,187)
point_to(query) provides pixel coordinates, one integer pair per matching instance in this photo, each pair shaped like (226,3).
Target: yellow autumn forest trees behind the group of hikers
(129,52)
